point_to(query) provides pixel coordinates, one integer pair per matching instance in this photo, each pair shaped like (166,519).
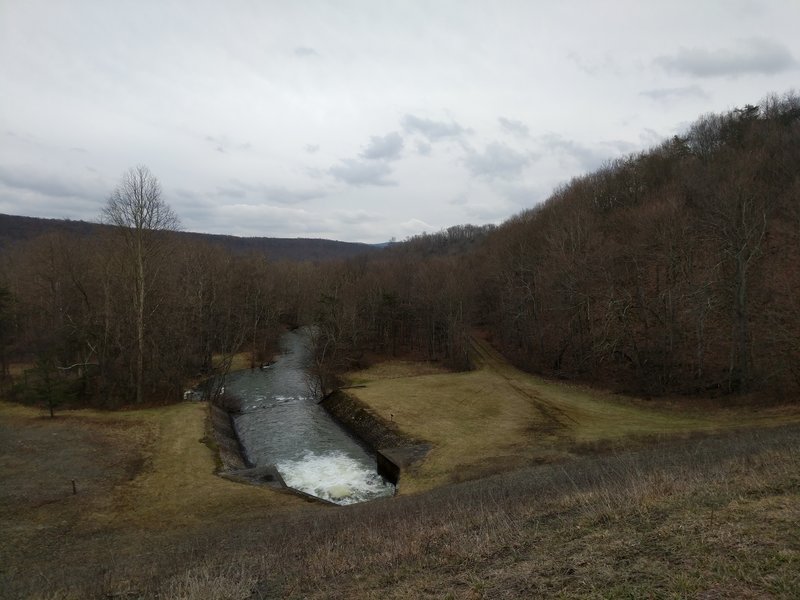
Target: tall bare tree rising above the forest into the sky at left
(141,217)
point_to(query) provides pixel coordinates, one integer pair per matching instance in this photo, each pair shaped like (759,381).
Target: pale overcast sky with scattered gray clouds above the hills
(361,120)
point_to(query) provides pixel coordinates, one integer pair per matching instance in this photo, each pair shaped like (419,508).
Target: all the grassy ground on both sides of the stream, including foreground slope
(533,488)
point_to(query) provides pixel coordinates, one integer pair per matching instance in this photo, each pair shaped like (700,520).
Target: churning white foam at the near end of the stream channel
(335,477)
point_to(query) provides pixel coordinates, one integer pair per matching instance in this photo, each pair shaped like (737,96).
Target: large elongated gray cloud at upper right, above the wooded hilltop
(757,56)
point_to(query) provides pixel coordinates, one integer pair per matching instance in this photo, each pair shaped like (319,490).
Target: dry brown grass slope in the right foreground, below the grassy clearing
(704,518)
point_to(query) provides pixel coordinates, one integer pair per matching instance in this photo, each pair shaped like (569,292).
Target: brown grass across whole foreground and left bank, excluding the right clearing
(707,517)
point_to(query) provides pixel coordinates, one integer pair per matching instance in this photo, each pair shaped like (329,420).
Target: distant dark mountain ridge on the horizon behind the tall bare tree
(15,229)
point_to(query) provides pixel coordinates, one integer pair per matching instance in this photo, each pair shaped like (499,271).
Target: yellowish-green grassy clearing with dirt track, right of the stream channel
(499,418)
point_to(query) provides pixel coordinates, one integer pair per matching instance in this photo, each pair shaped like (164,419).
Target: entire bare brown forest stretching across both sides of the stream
(671,271)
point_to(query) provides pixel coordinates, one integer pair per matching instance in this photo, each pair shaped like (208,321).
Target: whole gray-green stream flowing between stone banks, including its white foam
(282,424)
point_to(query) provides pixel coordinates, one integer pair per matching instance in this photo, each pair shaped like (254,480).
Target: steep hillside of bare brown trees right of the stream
(671,271)
